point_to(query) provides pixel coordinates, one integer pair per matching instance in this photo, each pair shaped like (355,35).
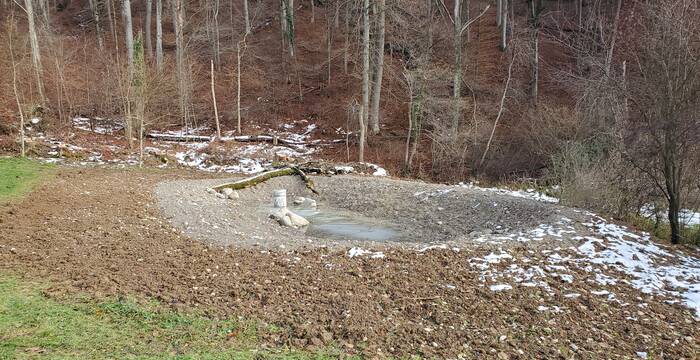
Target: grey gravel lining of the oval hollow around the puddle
(423,214)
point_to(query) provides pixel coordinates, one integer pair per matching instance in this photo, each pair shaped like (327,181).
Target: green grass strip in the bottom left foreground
(32,324)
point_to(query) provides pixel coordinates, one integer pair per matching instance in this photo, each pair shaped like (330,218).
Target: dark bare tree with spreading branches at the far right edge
(662,136)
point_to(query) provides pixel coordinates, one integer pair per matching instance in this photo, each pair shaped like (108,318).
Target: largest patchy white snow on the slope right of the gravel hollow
(608,254)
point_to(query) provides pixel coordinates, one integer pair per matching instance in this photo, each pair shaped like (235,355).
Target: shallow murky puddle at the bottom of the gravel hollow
(342,224)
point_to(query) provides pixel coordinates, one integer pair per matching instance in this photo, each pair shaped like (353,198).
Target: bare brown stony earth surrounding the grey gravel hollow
(99,231)
